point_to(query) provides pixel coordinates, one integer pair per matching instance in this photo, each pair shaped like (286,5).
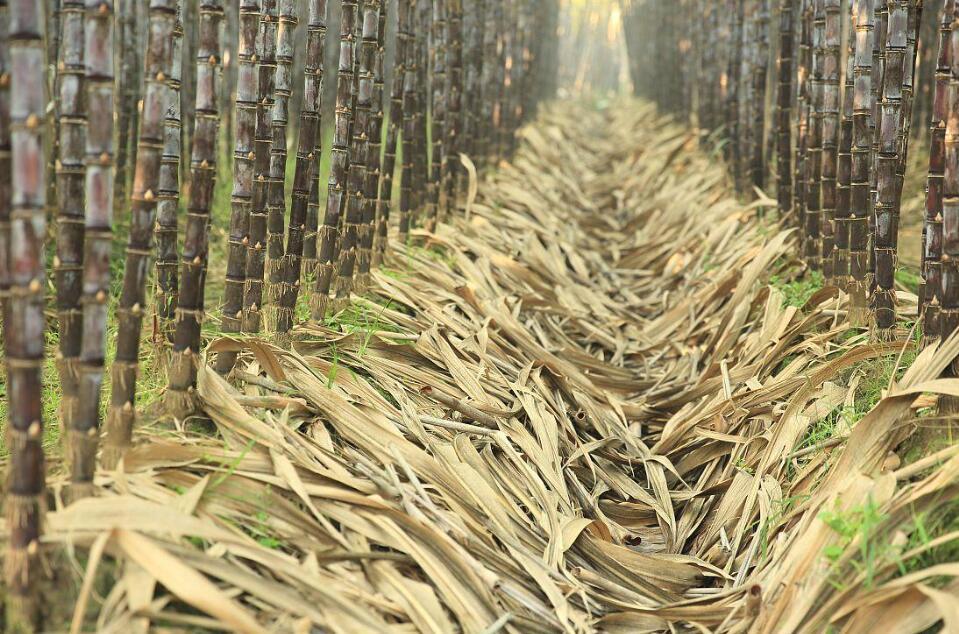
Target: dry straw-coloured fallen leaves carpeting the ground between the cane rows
(583,407)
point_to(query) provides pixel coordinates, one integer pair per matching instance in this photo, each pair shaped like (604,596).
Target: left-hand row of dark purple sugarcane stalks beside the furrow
(466,75)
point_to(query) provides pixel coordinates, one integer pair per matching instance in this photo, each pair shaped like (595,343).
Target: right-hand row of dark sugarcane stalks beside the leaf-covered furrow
(825,97)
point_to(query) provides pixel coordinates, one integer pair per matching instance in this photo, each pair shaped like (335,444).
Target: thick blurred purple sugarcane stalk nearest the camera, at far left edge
(24,320)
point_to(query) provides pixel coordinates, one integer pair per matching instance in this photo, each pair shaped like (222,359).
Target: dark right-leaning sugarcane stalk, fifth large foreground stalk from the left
(181,396)
